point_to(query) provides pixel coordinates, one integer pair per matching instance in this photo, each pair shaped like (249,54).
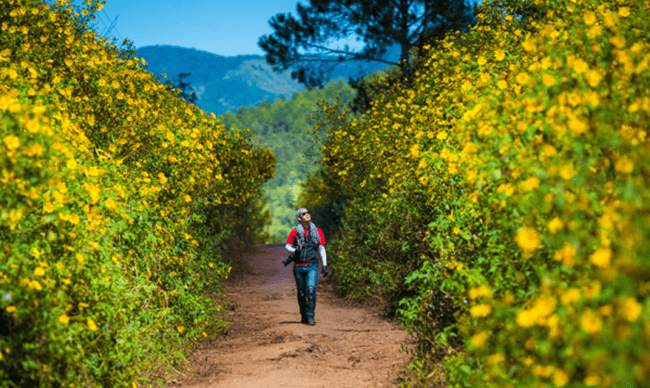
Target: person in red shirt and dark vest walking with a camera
(305,242)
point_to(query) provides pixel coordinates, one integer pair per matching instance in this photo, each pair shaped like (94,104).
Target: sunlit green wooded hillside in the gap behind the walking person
(284,127)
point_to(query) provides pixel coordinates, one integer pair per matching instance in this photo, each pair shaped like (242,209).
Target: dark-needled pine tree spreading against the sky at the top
(304,44)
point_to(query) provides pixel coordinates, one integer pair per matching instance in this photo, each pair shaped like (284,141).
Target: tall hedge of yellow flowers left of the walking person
(118,201)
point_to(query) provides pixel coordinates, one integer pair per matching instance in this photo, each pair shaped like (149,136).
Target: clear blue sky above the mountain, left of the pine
(224,27)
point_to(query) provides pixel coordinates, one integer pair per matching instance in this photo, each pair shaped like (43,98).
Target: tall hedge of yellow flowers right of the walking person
(500,202)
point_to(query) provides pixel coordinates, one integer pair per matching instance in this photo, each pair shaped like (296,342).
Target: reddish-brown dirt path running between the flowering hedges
(267,346)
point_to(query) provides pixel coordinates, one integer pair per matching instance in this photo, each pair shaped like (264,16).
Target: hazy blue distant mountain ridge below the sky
(227,83)
